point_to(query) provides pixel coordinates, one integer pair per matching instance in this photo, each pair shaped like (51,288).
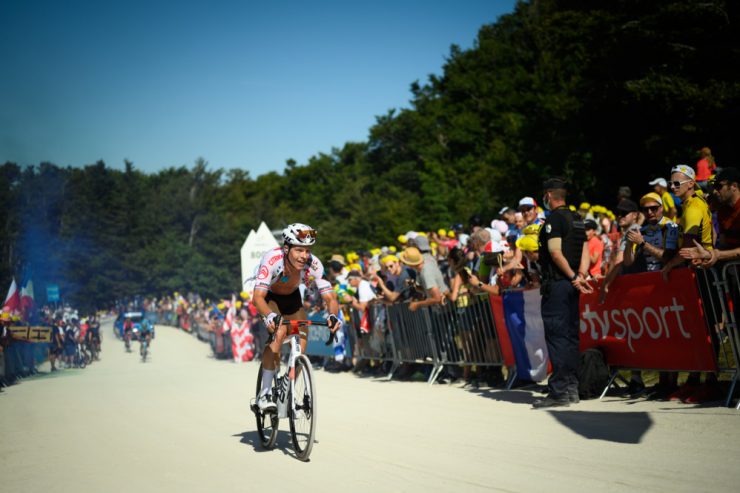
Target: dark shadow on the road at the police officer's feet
(608,426)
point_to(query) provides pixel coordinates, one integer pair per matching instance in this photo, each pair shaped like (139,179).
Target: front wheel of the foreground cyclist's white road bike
(303,419)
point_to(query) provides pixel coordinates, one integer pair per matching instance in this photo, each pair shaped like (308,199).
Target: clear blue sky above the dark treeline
(242,84)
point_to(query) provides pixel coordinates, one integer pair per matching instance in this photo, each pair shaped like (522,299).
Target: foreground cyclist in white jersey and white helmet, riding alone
(277,294)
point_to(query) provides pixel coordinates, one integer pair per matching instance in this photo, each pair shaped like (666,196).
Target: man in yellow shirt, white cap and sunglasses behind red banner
(696,220)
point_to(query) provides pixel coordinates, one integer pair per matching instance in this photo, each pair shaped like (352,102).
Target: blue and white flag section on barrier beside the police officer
(527,333)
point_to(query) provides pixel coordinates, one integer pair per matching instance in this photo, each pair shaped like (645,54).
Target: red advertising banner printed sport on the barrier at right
(648,323)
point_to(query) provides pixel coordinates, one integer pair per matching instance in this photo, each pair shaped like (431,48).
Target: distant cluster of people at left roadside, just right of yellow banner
(75,343)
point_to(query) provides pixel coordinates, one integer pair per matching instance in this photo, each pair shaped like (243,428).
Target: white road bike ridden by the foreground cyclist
(294,393)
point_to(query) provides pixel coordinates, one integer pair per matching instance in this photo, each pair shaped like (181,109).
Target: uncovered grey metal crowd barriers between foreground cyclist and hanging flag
(455,334)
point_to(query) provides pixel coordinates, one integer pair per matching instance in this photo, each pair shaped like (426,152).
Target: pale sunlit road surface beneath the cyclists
(181,423)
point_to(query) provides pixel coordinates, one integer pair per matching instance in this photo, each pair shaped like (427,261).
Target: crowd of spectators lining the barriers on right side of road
(692,215)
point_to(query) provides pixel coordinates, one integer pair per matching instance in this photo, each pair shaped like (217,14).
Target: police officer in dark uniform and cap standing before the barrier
(564,260)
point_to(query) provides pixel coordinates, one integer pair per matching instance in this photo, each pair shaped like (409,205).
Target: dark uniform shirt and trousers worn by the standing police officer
(560,304)
